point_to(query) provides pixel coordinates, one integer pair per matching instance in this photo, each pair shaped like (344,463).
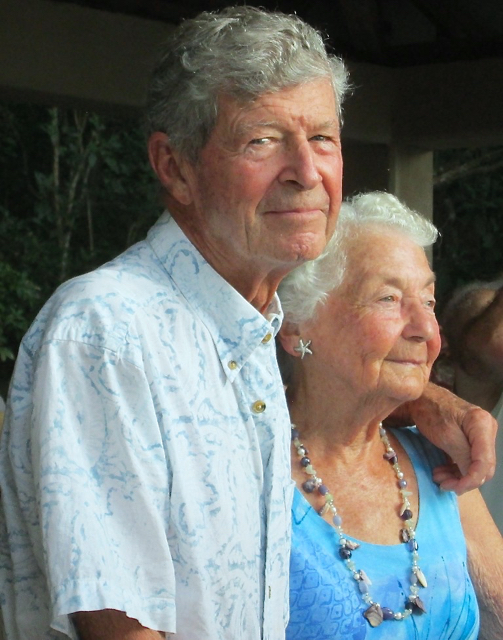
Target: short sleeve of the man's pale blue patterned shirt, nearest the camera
(102,481)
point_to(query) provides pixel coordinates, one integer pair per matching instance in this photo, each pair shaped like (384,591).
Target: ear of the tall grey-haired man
(169,167)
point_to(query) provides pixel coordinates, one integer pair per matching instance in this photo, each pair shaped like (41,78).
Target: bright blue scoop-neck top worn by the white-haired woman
(325,602)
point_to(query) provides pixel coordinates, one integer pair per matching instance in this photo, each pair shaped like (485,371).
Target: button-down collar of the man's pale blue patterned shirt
(237,328)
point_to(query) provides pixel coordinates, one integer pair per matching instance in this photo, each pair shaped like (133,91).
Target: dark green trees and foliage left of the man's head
(76,191)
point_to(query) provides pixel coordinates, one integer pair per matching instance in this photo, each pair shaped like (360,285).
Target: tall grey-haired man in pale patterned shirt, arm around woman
(145,460)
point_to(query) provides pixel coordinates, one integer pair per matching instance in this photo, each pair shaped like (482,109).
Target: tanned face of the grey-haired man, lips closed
(266,190)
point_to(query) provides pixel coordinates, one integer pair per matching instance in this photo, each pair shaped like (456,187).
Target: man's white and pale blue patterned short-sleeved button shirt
(145,459)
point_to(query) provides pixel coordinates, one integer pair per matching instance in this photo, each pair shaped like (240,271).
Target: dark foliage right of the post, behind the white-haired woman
(468,210)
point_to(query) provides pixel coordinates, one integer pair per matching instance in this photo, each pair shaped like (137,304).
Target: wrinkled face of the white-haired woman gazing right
(377,334)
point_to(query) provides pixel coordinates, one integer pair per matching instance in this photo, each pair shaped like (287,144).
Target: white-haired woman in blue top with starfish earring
(378,550)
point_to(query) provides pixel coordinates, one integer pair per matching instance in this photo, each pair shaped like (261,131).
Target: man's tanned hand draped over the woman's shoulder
(465,432)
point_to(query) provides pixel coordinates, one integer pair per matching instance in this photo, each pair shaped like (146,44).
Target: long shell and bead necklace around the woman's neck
(375,613)
